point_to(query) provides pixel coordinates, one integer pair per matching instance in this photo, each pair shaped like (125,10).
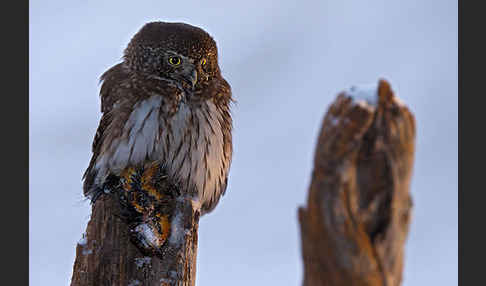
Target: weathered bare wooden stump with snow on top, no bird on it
(355,224)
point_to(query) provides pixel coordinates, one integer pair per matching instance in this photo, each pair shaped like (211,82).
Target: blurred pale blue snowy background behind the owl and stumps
(285,61)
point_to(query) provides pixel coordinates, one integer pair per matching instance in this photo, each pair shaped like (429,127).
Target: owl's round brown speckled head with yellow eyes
(175,51)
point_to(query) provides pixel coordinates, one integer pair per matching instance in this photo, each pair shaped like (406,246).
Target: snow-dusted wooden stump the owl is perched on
(106,256)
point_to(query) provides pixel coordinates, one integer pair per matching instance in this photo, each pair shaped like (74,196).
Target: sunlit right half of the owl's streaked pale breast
(192,149)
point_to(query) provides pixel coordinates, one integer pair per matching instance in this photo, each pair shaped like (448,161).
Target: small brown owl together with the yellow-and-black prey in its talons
(165,129)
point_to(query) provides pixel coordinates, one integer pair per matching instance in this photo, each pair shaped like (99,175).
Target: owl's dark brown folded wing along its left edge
(109,97)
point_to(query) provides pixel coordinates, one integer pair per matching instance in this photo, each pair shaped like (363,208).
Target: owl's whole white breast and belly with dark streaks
(189,143)
